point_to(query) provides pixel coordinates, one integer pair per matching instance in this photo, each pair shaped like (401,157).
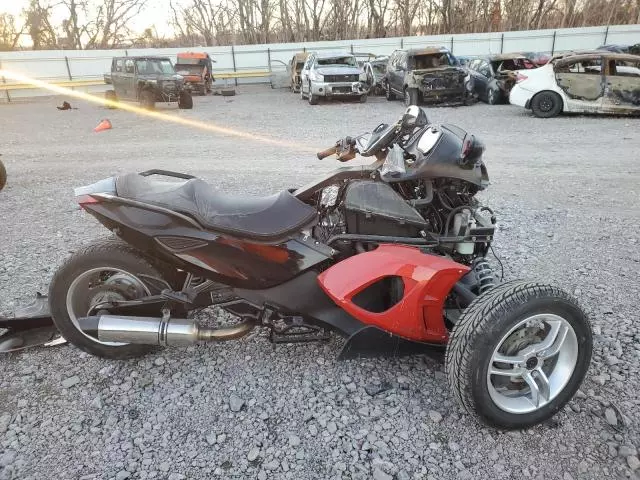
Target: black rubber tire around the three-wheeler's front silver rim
(480,329)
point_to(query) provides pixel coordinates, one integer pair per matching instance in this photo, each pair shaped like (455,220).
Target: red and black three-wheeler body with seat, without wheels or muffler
(276,263)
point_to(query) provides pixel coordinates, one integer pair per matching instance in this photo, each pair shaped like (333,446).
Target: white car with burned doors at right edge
(595,82)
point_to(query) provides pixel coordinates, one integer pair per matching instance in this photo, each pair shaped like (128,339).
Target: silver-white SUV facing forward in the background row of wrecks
(332,75)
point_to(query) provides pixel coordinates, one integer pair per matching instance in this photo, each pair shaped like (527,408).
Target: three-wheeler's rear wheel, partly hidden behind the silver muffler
(105,270)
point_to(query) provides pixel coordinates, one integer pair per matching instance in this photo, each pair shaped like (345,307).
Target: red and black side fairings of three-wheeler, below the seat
(299,276)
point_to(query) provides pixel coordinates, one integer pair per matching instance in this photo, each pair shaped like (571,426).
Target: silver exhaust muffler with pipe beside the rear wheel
(158,331)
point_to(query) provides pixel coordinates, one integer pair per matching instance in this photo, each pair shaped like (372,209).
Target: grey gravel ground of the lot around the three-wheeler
(566,191)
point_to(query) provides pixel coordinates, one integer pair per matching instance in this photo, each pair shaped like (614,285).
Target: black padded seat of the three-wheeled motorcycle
(259,218)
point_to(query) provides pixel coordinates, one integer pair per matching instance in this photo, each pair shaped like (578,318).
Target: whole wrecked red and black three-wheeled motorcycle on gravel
(393,256)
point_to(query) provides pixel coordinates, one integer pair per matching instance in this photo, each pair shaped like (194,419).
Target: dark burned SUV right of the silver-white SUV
(427,75)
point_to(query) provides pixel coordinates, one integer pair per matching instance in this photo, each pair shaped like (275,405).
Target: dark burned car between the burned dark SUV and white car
(495,75)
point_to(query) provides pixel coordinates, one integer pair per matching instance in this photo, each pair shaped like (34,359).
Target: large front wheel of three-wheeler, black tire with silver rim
(494,321)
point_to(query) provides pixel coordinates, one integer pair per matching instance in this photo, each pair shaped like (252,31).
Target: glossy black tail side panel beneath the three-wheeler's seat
(223,259)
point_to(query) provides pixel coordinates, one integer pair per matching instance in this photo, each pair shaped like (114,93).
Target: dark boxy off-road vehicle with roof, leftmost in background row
(147,80)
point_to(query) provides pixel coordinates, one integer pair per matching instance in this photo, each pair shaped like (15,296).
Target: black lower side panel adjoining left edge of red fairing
(303,296)
